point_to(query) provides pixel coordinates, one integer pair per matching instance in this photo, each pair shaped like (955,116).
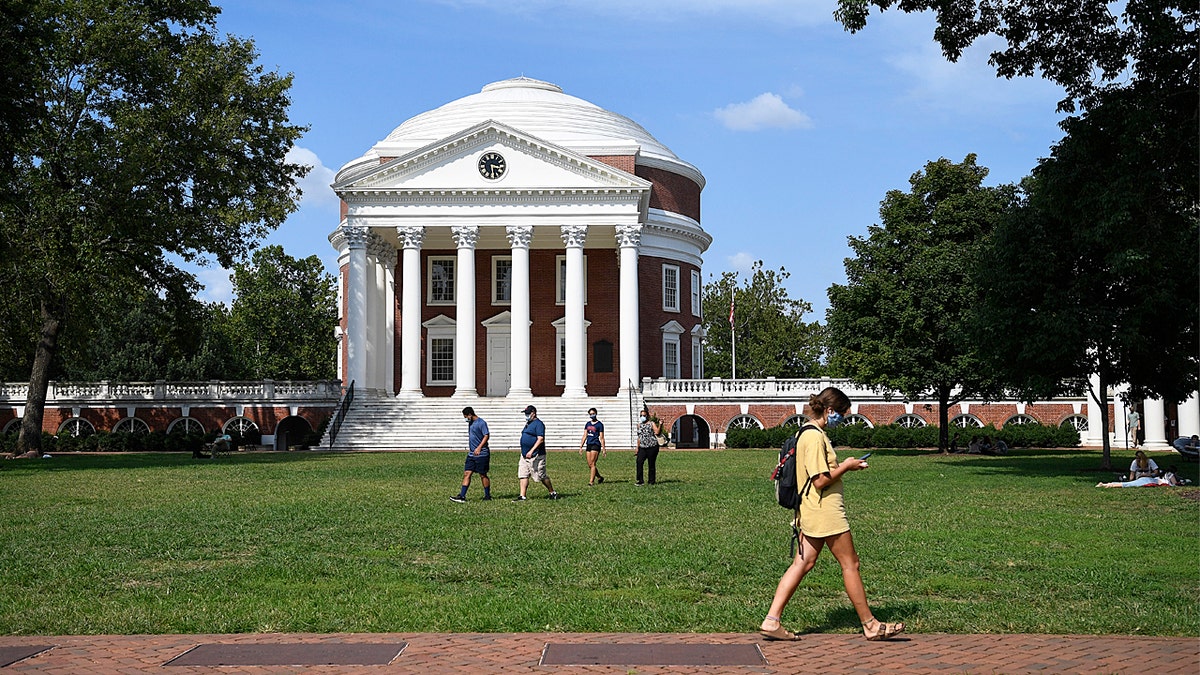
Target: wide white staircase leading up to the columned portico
(387,423)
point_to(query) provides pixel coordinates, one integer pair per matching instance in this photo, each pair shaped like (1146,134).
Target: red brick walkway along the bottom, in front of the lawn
(430,654)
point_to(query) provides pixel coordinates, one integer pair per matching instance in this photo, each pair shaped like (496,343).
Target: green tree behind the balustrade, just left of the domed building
(284,316)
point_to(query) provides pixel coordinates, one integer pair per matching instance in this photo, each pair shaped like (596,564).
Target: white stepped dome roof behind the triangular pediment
(538,109)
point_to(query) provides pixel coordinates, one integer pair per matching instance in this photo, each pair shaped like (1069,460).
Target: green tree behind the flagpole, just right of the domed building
(773,339)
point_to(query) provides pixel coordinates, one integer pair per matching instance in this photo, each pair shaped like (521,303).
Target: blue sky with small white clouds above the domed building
(799,127)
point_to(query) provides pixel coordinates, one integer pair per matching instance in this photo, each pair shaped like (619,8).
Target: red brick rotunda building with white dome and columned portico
(519,243)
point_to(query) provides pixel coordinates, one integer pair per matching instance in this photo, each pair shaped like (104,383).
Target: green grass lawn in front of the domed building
(161,543)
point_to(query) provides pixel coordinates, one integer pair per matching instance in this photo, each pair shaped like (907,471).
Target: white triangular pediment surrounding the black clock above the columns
(452,166)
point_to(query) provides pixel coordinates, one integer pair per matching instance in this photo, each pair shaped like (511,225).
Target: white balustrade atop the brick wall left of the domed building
(106,392)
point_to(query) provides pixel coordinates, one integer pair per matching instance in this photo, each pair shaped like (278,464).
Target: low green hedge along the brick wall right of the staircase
(895,437)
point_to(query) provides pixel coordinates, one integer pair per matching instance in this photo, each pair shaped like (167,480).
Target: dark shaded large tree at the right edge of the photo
(1096,273)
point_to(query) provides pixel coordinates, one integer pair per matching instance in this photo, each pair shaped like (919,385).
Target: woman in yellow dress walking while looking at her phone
(821,518)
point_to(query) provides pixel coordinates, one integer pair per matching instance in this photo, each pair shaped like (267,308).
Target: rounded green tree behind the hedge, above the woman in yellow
(903,320)
